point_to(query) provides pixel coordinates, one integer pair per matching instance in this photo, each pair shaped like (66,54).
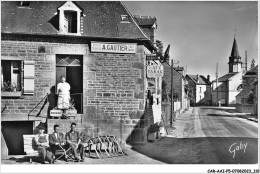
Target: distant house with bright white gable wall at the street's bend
(201,89)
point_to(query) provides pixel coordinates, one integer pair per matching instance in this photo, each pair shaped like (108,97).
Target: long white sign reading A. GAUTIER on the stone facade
(112,47)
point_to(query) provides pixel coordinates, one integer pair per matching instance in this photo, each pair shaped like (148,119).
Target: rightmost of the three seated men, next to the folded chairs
(74,141)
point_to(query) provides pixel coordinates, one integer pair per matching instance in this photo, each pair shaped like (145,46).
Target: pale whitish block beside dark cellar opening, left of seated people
(30,146)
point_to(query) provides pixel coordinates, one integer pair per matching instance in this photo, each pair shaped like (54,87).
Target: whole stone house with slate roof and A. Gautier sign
(100,49)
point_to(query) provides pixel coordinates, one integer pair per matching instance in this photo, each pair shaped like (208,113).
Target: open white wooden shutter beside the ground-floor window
(29,77)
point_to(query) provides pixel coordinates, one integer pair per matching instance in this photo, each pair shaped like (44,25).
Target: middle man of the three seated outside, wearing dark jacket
(57,140)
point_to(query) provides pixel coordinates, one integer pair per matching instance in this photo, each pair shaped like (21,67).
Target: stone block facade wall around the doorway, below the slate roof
(113,85)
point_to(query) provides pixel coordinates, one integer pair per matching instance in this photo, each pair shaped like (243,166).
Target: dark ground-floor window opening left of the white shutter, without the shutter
(11,75)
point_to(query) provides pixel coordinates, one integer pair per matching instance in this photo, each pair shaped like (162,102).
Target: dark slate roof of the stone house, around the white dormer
(100,19)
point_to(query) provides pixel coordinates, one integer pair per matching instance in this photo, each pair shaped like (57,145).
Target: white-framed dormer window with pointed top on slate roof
(69,17)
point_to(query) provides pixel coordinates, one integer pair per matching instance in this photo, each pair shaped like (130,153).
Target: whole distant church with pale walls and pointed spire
(229,85)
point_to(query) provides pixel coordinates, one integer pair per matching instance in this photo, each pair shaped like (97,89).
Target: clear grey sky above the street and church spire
(201,34)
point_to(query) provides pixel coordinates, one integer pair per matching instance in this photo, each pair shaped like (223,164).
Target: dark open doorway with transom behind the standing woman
(70,66)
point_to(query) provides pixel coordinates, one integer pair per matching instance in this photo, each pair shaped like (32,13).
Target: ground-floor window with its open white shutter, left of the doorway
(17,78)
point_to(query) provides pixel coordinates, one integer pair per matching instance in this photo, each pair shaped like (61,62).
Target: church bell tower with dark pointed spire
(235,63)
